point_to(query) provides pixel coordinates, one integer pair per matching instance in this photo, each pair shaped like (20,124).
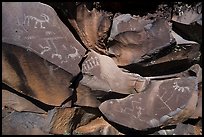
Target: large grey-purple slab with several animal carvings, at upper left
(37,28)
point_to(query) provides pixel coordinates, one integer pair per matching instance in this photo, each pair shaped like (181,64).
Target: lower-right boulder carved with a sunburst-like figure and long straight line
(164,102)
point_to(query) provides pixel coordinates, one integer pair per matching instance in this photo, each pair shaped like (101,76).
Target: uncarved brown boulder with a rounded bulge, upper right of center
(134,39)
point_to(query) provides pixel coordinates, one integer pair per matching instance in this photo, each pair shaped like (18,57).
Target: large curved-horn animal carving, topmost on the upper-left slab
(45,19)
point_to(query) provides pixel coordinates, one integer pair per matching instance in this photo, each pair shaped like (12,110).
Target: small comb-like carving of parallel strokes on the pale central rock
(90,64)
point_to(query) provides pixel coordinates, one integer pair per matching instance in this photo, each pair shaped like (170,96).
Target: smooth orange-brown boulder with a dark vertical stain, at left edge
(33,76)
